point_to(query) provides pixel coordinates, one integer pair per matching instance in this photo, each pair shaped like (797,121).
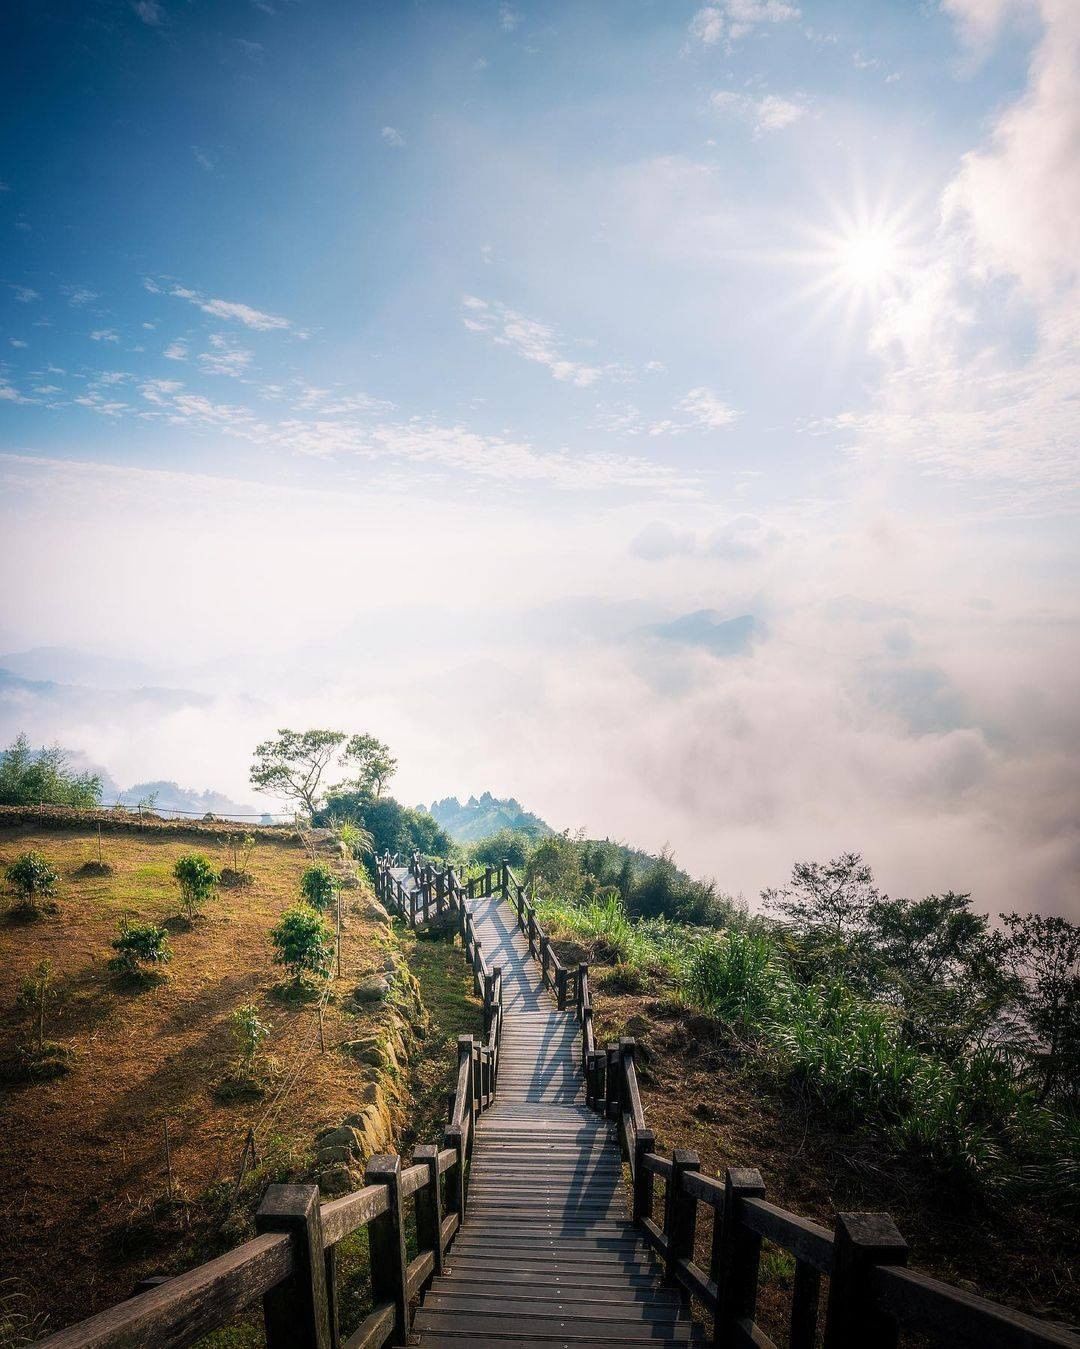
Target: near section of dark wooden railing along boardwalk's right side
(872,1297)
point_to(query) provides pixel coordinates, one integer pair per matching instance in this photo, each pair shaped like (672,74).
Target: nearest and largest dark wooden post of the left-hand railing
(297,1311)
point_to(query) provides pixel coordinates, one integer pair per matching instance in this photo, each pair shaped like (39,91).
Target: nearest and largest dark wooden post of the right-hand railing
(861,1242)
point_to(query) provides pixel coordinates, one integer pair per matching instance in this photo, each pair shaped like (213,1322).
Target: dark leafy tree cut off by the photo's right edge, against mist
(1043,954)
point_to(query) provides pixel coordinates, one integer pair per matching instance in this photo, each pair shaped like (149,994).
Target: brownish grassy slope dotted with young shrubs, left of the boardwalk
(84,1208)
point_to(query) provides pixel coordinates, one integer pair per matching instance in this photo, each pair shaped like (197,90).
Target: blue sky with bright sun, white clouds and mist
(665,415)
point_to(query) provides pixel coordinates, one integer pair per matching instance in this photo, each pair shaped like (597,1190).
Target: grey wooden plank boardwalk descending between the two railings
(547,1254)
